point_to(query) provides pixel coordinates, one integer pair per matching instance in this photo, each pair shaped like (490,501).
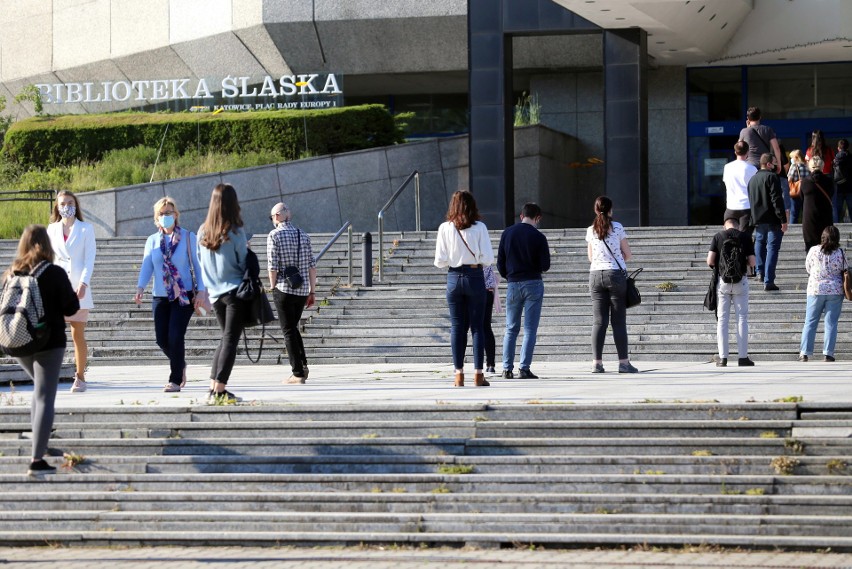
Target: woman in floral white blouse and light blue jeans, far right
(825,264)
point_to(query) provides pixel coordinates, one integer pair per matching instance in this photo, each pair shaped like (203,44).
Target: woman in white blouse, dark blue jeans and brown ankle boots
(463,247)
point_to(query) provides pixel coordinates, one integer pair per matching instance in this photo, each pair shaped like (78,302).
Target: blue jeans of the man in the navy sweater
(522,297)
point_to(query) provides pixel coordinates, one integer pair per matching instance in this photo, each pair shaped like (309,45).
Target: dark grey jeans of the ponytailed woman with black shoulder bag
(608,290)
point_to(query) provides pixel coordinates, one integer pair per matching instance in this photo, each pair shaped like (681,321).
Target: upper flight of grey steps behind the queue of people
(404,318)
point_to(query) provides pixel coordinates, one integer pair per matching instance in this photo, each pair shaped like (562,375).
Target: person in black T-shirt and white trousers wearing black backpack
(732,287)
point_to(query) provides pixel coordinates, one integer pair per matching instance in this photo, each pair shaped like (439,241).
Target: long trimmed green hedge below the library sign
(54,141)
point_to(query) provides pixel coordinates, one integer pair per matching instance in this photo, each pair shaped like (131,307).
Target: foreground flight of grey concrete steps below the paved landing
(749,475)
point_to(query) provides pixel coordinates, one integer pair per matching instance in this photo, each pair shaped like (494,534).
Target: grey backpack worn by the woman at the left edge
(23,330)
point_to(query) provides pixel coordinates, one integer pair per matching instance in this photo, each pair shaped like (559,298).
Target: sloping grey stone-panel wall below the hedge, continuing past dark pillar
(325,192)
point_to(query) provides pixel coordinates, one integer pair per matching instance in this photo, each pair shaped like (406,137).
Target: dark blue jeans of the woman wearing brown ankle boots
(466,300)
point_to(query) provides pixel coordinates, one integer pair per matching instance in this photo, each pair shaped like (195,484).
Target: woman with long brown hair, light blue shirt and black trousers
(222,251)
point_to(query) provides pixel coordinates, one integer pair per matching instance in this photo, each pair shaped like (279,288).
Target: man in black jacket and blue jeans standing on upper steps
(769,219)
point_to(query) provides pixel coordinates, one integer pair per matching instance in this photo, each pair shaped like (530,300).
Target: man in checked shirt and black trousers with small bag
(288,246)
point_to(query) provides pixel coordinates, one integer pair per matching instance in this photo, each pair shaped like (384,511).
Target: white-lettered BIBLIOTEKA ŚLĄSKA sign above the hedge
(306,91)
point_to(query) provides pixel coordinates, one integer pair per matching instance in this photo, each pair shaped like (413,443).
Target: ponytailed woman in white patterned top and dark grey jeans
(608,252)
